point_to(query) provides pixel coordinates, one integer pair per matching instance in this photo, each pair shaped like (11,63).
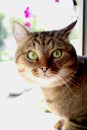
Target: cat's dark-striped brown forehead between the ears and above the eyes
(47,40)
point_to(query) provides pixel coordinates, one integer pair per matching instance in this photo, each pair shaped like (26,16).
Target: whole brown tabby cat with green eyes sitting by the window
(50,61)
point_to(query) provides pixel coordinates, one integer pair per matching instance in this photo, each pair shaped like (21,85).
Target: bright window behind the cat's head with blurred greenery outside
(45,15)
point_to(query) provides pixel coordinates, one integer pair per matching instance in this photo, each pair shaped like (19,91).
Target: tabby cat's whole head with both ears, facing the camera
(45,58)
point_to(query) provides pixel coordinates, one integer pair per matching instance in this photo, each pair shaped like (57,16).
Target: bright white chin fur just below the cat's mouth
(45,81)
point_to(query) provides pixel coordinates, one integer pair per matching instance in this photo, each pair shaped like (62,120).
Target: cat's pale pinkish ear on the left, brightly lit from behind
(20,33)
